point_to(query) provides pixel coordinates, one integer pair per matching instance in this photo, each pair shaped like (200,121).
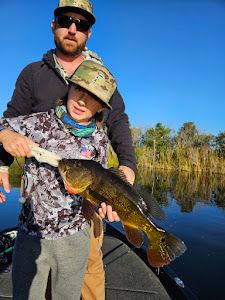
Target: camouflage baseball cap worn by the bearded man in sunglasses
(82,7)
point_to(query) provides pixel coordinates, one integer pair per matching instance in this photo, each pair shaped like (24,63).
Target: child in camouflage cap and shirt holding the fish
(53,234)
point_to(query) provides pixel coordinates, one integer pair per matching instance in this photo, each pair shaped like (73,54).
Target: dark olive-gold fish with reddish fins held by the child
(136,211)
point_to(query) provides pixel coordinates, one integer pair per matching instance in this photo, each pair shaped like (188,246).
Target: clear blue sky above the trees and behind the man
(168,55)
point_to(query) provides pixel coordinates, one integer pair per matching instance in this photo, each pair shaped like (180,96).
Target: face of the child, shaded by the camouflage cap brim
(81,105)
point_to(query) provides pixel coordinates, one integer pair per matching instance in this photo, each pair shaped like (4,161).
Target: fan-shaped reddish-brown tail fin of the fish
(163,248)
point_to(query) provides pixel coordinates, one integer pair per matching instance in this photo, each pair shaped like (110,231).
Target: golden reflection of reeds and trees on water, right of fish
(187,188)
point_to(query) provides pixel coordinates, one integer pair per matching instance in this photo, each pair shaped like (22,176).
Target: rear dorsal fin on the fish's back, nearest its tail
(152,205)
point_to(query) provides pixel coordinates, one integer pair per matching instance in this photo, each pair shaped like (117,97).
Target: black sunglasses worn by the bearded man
(66,21)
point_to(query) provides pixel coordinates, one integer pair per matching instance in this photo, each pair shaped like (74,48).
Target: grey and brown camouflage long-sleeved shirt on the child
(49,211)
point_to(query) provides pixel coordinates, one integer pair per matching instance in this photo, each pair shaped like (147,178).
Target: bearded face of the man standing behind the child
(70,41)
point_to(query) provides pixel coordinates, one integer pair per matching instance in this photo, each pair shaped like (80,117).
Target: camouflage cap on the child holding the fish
(96,79)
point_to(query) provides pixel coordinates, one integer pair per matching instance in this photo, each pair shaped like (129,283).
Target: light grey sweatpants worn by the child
(33,258)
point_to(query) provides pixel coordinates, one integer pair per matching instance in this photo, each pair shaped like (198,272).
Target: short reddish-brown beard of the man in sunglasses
(69,46)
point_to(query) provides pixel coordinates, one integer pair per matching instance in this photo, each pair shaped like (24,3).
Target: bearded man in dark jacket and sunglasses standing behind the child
(41,83)
